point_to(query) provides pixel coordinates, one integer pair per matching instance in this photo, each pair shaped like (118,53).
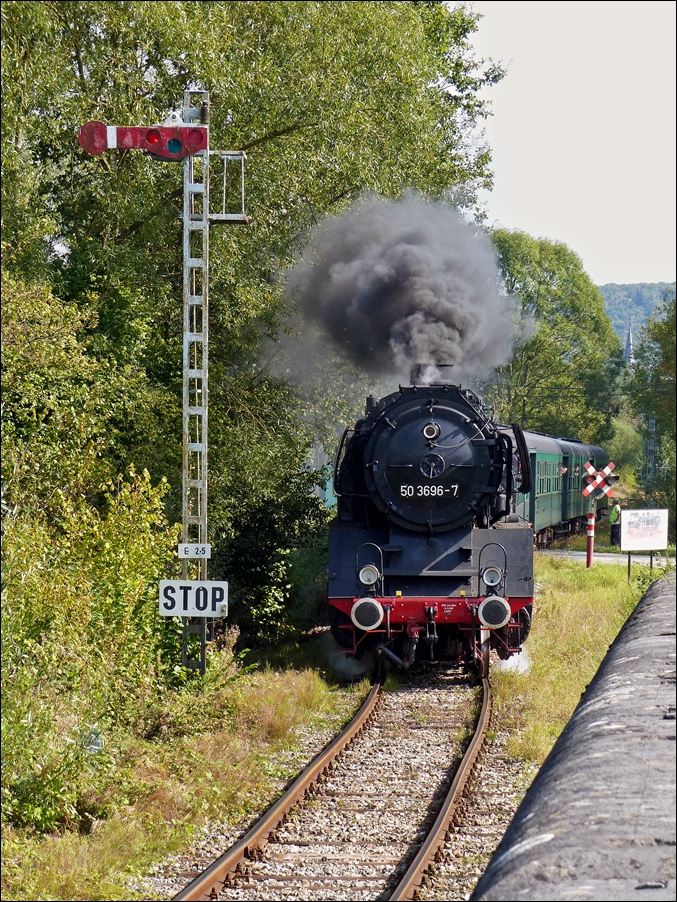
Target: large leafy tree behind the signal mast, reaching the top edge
(327,99)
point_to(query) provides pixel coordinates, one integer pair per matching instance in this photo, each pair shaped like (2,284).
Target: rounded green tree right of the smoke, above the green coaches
(562,378)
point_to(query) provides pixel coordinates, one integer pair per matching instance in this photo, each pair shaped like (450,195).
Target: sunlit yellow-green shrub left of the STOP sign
(81,643)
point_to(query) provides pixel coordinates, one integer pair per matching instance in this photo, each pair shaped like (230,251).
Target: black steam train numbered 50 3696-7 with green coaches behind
(438,511)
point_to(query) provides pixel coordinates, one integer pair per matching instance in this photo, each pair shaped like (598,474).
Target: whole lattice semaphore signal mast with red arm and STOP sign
(185,136)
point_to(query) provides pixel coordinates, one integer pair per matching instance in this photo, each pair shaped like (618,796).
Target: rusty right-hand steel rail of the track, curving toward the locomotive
(413,879)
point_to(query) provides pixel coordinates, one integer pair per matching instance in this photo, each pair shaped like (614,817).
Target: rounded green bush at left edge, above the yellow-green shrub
(70,421)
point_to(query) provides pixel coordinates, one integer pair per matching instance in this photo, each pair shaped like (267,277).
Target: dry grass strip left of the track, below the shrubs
(219,750)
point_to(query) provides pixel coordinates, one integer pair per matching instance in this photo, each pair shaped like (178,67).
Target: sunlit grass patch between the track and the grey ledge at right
(578,613)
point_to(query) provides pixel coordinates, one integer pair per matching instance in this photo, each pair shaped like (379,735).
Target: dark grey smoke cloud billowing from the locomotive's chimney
(394,283)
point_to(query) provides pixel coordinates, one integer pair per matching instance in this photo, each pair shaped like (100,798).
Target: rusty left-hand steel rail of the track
(208,884)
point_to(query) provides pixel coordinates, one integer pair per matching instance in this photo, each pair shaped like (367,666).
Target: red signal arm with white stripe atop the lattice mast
(166,142)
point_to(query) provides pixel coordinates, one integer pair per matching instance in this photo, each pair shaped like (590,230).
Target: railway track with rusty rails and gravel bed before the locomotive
(370,813)
